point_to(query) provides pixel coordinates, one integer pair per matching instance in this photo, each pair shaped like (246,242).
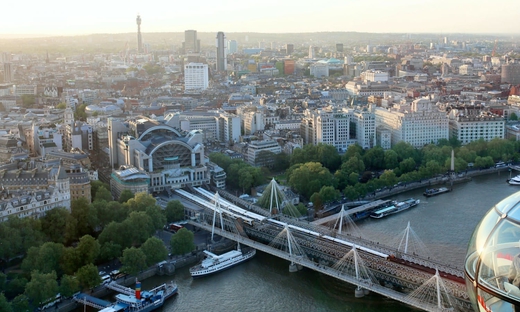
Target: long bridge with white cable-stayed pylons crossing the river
(393,273)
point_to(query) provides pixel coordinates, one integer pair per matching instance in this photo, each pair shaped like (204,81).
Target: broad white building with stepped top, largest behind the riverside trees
(419,123)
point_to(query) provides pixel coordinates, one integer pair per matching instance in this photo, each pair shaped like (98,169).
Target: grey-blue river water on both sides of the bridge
(443,223)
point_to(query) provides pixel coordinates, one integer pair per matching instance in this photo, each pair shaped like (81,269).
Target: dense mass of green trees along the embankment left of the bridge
(60,250)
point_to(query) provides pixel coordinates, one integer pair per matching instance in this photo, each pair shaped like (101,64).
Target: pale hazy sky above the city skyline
(58,17)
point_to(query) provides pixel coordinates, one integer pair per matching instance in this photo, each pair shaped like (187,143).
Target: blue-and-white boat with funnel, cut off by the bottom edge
(144,301)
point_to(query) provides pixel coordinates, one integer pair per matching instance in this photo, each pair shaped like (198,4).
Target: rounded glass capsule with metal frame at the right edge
(493,259)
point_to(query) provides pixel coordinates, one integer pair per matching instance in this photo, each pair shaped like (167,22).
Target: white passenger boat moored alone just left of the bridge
(214,263)
